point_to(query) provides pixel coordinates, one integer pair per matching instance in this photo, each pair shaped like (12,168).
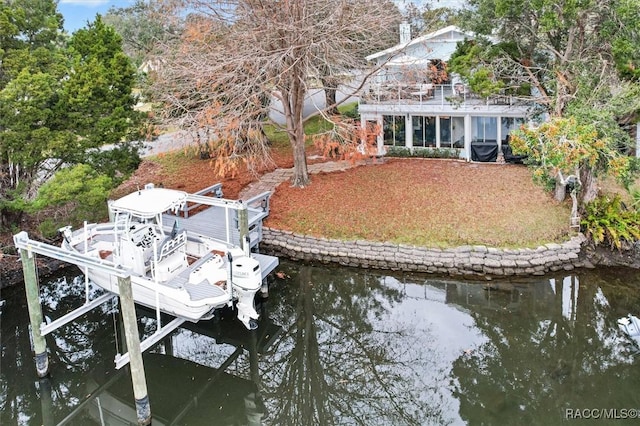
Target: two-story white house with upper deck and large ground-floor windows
(418,105)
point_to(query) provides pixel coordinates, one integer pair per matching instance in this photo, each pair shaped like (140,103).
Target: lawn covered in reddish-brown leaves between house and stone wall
(425,202)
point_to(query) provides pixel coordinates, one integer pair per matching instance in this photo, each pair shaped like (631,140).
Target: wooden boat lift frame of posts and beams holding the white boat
(29,247)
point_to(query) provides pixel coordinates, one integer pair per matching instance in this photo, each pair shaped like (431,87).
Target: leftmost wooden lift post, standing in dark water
(35,311)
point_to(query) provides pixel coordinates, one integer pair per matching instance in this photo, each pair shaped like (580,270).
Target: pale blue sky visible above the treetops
(78,12)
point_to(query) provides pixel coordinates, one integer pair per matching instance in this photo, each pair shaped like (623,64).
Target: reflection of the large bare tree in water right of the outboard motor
(342,359)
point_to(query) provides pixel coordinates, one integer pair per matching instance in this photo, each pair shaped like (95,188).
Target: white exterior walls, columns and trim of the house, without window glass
(402,88)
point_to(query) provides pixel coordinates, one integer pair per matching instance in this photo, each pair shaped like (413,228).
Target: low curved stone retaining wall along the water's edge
(466,260)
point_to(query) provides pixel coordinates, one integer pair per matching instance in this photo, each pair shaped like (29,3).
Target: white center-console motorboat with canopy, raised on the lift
(180,273)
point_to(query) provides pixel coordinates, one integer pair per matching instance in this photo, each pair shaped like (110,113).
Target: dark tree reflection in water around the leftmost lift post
(74,350)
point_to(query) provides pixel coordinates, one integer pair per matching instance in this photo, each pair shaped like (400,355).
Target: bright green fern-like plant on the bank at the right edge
(608,220)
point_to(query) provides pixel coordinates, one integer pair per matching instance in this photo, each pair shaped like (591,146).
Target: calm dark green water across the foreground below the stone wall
(344,346)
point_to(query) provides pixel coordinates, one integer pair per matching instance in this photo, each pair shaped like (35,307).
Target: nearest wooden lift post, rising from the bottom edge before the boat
(128,310)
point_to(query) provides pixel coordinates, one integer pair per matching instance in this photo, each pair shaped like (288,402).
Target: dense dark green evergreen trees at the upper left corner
(61,101)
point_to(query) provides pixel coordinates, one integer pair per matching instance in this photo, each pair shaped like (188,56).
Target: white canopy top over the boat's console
(149,202)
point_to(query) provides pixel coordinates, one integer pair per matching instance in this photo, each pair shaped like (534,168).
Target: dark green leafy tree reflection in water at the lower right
(551,348)
